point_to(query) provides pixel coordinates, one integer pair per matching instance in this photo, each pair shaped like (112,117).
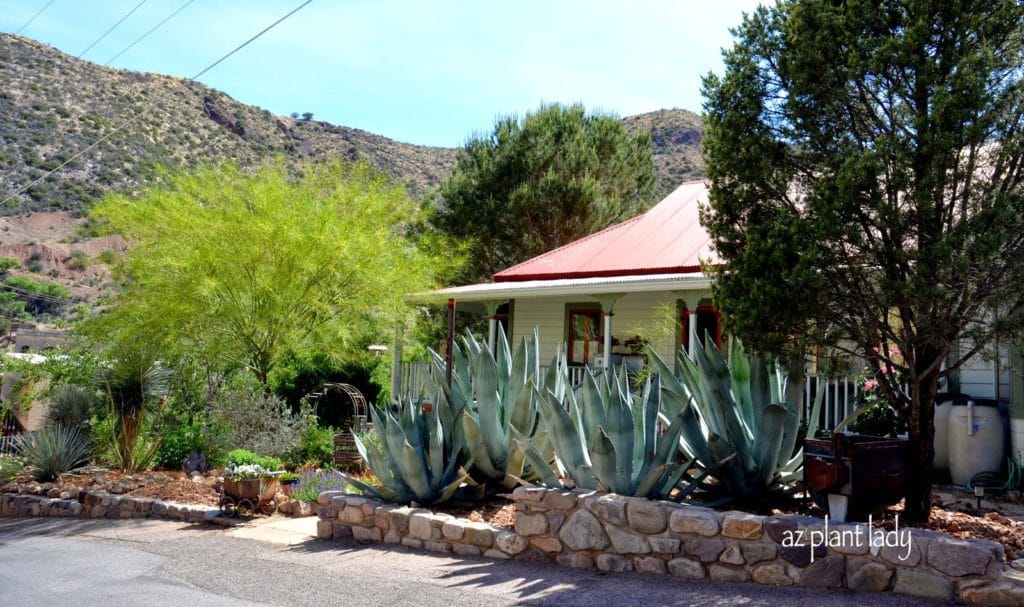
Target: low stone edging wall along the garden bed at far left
(102,505)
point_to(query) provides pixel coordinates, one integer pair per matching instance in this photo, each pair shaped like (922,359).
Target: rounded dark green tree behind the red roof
(542,182)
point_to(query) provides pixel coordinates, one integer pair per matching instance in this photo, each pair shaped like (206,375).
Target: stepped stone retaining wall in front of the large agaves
(615,534)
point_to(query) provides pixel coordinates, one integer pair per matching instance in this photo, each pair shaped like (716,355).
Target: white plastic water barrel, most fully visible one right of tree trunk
(975,442)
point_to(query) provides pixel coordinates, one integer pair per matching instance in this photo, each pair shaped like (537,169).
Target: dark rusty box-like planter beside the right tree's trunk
(870,472)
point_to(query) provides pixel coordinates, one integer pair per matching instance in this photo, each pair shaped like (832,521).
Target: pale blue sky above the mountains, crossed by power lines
(424,72)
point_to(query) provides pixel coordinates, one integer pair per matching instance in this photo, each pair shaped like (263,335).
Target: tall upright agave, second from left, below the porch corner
(497,399)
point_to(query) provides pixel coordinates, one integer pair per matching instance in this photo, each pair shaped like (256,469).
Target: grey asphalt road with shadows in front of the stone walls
(154,563)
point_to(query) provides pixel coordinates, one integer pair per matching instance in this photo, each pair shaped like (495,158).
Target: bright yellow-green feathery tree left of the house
(249,268)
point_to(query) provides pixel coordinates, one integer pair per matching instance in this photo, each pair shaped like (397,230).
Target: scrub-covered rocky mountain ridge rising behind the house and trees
(53,106)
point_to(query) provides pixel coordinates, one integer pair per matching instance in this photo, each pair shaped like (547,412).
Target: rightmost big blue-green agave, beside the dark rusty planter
(742,418)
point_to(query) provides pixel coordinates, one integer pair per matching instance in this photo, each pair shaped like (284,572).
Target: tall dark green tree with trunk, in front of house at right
(867,166)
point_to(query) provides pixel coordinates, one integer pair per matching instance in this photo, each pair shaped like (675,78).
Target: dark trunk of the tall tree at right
(922,427)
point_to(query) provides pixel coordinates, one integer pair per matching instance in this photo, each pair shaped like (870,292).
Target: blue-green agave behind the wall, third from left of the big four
(612,441)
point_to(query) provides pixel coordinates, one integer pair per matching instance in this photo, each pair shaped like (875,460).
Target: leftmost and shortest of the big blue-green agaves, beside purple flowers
(419,455)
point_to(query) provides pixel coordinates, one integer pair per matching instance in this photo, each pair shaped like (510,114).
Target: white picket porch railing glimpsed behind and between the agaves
(840,399)
